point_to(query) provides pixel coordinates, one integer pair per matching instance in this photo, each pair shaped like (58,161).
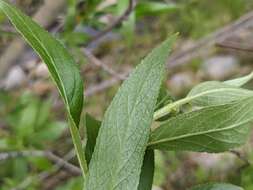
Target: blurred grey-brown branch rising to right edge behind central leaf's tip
(198,49)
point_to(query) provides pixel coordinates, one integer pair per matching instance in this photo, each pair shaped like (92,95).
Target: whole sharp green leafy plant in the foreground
(121,147)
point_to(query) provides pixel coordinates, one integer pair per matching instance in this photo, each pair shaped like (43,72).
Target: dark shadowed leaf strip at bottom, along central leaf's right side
(147,171)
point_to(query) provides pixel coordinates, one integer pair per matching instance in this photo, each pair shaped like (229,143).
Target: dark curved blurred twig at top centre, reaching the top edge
(119,20)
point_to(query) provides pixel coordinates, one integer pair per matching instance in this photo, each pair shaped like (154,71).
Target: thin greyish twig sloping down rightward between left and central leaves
(99,63)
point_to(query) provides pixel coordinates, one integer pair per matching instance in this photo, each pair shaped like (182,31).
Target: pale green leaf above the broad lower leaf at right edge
(216,93)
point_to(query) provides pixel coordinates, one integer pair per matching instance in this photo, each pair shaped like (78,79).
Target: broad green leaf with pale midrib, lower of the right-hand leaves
(211,129)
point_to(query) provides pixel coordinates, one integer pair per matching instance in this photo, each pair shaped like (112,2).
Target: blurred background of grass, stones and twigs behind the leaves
(108,38)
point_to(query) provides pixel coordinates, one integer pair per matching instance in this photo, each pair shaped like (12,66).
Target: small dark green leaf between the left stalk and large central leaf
(92,128)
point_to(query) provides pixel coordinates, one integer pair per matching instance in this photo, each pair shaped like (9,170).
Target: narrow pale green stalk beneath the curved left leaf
(78,147)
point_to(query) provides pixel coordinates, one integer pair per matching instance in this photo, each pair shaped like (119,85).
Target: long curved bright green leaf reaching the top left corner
(61,65)
